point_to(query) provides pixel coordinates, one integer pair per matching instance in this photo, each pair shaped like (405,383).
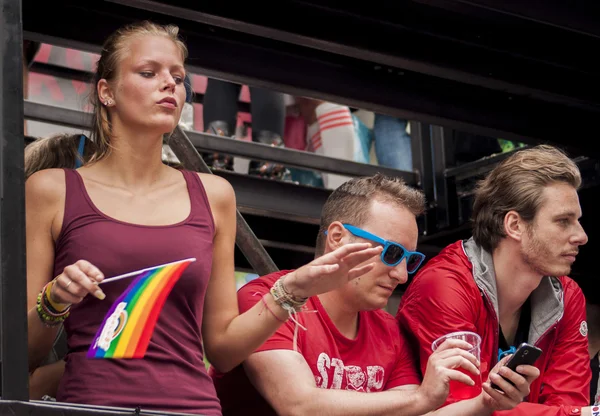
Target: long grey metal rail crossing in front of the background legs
(251,150)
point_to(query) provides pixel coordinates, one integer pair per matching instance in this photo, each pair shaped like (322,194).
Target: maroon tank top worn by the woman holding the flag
(172,376)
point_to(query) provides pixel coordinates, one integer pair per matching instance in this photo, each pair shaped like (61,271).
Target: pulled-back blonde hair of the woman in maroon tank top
(113,50)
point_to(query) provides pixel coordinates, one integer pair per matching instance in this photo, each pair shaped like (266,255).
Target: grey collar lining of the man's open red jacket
(547,304)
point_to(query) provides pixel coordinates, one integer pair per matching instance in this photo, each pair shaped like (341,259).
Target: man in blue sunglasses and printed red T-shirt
(341,344)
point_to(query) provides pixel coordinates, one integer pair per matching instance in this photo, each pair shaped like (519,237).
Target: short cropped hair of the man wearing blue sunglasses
(350,203)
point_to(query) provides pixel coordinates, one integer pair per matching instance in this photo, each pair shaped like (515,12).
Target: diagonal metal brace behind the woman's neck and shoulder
(245,238)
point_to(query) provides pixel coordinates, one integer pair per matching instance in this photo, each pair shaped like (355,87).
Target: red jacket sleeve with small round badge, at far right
(566,382)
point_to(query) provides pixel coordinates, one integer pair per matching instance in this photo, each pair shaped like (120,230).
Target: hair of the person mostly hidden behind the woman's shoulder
(58,151)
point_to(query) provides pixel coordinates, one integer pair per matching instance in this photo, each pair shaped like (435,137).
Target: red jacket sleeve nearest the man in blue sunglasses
(436,303)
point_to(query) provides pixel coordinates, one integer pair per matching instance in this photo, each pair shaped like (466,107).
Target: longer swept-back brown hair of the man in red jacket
(516,184)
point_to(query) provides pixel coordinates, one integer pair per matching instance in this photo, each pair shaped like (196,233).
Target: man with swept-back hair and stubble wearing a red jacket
(507,283)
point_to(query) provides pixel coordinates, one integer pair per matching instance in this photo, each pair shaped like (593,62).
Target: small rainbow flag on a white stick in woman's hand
(129,324)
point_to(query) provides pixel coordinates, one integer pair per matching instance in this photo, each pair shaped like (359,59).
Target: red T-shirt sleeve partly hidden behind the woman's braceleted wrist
(249,295)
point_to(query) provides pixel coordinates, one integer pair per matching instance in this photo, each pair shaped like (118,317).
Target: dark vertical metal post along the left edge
(13,304)
